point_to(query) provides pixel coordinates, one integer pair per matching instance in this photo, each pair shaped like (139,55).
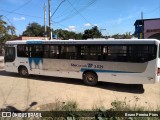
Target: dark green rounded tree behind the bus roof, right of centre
(92,33)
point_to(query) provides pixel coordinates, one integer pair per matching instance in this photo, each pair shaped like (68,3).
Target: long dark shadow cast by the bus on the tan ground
(130,88)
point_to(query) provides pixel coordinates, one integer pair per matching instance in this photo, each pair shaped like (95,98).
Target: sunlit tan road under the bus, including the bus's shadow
(20,92)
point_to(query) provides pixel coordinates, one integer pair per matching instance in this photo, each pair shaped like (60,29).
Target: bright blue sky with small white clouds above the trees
(111,16)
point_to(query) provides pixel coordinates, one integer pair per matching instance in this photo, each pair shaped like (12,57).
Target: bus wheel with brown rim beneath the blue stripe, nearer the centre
(90,78)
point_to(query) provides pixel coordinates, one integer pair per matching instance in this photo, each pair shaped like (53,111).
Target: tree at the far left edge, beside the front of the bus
(7,32)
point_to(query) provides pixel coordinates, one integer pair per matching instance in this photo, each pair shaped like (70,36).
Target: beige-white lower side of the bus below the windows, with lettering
(111,71)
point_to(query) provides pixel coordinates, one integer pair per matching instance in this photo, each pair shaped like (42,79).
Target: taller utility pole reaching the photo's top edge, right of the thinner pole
(50,18)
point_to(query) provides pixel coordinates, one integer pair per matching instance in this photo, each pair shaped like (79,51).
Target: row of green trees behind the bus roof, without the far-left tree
(35,29)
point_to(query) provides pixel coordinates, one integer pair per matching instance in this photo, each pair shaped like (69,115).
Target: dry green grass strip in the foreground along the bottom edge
(70,111)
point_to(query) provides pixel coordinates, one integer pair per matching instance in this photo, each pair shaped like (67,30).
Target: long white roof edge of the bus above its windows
(90,41)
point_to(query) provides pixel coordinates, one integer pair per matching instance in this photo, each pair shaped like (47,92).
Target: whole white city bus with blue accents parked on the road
(117,61)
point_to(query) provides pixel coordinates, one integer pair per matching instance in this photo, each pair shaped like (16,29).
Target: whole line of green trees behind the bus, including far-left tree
(7,32)
